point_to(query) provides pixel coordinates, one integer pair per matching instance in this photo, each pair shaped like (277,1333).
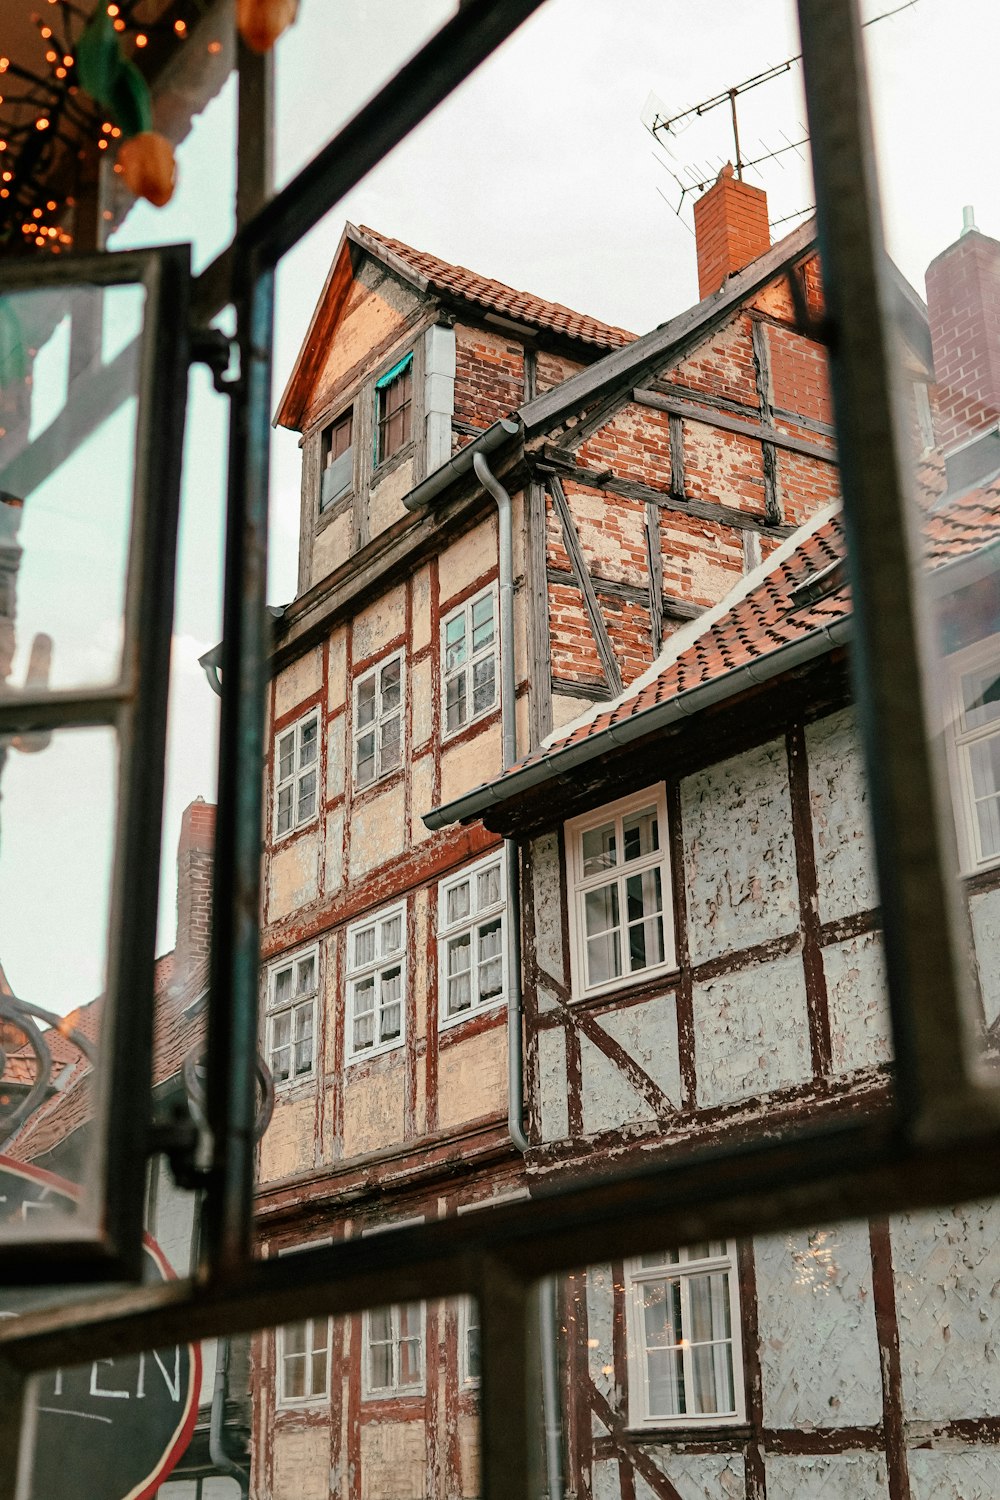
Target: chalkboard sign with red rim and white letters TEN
(112,1430)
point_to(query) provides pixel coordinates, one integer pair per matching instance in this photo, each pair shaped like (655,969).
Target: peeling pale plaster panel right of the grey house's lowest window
(819,1349)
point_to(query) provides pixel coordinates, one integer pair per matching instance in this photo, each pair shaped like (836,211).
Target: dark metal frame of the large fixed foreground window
(942,1141)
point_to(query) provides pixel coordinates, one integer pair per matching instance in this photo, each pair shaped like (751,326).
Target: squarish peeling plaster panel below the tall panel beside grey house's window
(752,1031)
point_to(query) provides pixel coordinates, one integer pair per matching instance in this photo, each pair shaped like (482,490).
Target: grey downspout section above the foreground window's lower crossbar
(509,727)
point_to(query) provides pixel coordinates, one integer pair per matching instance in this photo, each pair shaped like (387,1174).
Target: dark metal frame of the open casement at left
(106,1238)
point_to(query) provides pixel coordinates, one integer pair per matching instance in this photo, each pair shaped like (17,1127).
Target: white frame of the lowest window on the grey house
(636,1277)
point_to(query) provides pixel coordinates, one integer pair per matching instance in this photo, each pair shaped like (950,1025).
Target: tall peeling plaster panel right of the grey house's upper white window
(740,853)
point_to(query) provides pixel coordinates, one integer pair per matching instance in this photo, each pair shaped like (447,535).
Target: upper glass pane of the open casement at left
(67,499)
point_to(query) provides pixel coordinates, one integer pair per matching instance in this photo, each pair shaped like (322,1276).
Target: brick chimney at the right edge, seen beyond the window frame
(963,304)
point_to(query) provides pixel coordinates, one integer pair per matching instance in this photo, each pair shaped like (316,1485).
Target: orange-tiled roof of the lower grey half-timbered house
(791,610)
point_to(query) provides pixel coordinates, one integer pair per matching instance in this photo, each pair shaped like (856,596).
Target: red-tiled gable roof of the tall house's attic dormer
(430,274)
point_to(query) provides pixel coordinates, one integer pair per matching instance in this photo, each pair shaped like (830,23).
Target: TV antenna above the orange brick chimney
(693,178)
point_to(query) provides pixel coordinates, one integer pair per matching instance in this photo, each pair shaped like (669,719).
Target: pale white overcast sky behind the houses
(537,172)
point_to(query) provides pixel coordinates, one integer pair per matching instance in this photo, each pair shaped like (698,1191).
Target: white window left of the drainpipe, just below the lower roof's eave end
(472,949)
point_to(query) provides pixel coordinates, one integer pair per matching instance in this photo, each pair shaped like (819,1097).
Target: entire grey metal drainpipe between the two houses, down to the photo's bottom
(548,1312)
